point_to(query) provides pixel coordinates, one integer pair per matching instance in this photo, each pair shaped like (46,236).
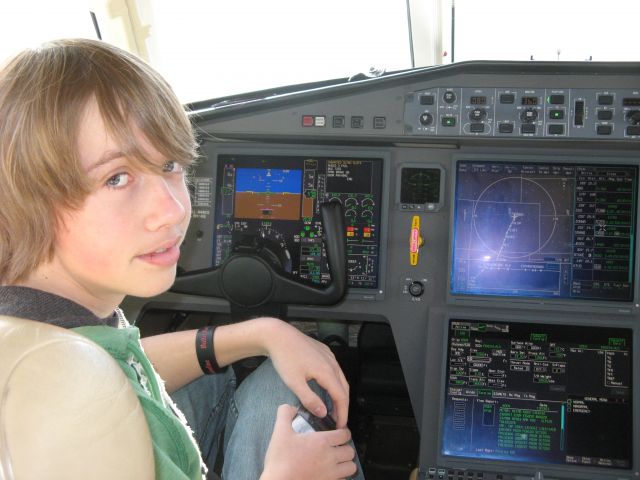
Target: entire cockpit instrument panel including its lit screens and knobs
(492,222)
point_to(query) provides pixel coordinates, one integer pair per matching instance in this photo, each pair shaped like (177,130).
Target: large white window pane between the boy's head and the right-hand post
(212,49)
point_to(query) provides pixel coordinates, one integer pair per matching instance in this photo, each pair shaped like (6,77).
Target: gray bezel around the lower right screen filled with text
(553,470)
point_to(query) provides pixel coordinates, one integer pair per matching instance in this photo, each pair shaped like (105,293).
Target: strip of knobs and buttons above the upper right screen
(524,112)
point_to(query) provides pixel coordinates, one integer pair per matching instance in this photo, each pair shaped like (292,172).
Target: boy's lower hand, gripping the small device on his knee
(317,455)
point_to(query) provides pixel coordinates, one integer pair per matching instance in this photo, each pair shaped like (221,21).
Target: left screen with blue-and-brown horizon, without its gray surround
(277,198)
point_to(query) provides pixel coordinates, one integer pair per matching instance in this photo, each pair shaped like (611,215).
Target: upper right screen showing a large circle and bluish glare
(564,231)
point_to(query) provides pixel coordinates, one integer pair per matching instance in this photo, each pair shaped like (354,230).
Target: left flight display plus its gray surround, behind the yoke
(274,195)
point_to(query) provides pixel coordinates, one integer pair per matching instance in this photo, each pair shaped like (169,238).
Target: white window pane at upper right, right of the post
(544,30)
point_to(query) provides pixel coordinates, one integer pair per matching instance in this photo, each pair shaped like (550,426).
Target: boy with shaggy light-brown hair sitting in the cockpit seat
(93,151)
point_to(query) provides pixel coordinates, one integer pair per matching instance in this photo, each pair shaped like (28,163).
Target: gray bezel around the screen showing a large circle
(534,302)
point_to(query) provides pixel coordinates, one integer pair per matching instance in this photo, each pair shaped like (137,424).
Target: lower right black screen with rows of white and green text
(536,393)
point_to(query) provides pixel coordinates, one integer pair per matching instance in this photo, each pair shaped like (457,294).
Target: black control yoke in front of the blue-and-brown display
(253,276)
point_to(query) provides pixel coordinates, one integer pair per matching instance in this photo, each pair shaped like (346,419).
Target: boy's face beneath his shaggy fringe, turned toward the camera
(125,238)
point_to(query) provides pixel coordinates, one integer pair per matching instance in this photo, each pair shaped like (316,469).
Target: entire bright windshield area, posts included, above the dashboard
(211,49)
